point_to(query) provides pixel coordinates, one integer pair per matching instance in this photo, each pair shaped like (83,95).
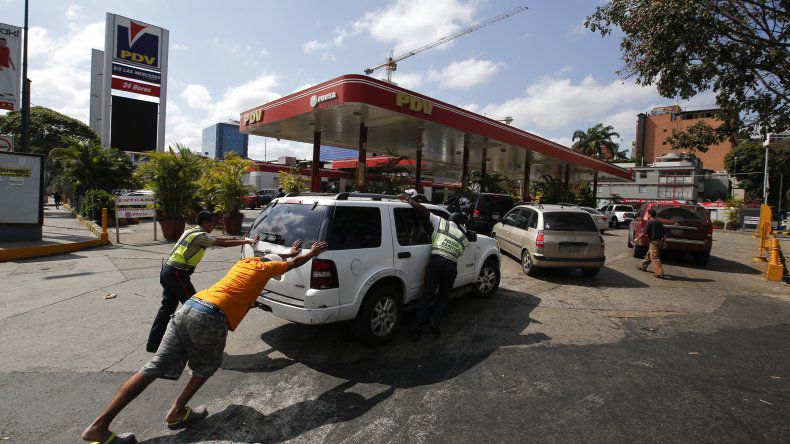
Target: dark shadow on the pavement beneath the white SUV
(472,330)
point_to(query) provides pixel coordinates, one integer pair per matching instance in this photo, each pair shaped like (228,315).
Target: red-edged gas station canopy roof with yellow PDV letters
(400,121)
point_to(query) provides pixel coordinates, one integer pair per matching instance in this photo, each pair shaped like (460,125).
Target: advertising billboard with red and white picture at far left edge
(10,63)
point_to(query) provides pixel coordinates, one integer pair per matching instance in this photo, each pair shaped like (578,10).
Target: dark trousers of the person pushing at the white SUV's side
(440,274)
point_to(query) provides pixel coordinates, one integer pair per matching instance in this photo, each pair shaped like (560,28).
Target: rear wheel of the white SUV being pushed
(379,317)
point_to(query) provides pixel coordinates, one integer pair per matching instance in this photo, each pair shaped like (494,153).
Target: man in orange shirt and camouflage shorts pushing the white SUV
(196,336)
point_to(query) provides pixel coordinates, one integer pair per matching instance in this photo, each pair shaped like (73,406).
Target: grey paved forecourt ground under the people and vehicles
(699,356)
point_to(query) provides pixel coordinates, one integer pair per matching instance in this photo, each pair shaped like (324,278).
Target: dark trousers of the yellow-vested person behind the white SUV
(176,287)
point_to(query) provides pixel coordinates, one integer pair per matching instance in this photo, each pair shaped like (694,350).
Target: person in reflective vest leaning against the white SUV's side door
(448,242)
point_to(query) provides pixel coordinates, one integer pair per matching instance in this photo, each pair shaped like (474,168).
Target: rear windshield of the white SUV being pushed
(284,223)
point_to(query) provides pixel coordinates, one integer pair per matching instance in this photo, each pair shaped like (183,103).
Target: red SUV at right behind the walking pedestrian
(687,228)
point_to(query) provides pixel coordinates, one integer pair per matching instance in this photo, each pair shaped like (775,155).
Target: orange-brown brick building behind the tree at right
(652,130)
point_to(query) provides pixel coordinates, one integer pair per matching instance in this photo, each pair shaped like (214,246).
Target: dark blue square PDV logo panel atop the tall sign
(137,43)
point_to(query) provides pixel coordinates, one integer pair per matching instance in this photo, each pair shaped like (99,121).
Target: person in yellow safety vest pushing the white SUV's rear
(175,275)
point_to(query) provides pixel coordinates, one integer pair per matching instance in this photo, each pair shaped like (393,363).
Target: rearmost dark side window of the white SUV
(354,227)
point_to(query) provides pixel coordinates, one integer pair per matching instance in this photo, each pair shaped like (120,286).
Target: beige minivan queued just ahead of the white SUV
(551,236)
